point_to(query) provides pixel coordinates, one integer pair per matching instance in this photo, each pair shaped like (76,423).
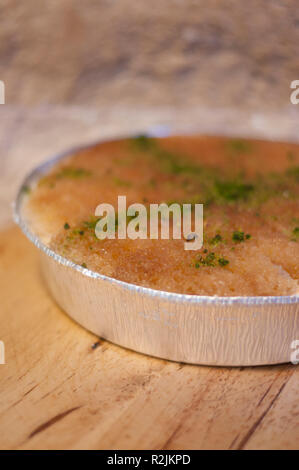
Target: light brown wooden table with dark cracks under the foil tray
(57,392)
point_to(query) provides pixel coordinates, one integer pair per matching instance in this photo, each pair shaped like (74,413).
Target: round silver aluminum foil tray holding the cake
(222,331)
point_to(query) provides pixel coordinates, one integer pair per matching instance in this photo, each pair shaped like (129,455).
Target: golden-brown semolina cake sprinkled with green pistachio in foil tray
(250,193)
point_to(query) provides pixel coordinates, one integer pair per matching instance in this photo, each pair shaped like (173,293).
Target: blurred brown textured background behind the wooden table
(158,53)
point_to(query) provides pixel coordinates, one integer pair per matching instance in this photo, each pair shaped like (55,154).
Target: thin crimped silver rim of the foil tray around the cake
(134,288)
